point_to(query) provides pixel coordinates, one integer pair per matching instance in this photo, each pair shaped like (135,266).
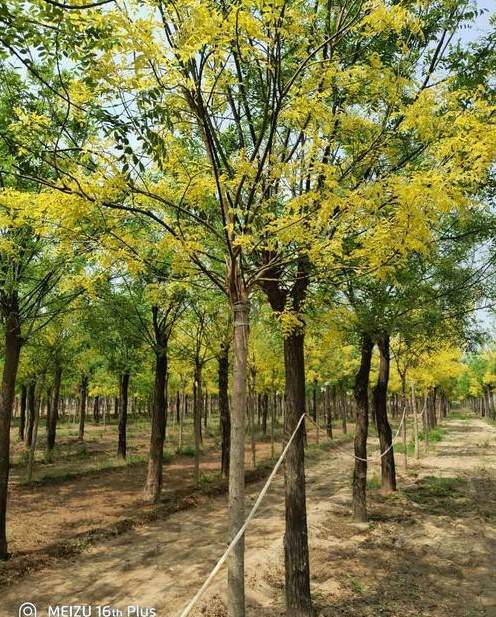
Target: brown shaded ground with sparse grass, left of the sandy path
(74,495)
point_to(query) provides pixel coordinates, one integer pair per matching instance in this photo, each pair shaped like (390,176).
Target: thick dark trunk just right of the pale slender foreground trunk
(296,556)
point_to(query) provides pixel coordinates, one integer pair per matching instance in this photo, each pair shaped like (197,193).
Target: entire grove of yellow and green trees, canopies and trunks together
(244,199)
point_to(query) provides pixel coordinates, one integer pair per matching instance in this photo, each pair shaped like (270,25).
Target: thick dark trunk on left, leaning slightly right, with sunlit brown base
(153,484)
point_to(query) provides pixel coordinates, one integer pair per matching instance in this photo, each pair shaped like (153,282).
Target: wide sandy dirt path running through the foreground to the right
(429,550)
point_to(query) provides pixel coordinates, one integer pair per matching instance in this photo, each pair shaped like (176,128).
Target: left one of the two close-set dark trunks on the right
(361,392)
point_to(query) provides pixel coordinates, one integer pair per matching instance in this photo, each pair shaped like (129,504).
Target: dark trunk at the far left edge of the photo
(12,350)
